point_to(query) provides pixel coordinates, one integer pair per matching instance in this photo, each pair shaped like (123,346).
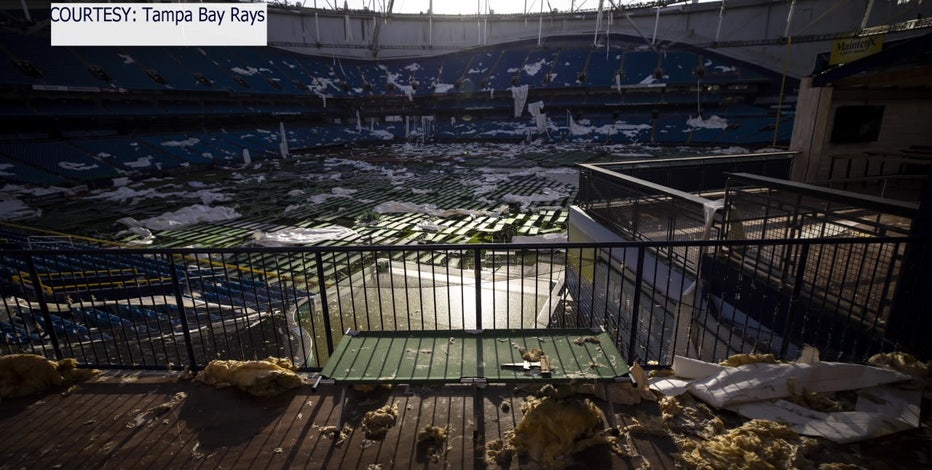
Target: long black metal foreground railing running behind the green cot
(176,309)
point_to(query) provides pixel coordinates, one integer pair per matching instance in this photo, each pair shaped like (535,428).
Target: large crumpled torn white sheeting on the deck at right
(798,394)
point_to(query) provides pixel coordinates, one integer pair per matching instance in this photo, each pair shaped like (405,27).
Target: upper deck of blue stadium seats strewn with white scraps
(272,71)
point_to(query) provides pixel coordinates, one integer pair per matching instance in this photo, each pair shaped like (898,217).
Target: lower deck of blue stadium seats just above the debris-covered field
(97,159)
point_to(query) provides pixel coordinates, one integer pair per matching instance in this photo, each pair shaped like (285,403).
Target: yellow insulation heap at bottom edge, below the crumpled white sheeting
(756,444)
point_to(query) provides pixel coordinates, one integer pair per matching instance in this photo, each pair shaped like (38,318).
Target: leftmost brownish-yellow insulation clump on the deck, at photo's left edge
(27,374)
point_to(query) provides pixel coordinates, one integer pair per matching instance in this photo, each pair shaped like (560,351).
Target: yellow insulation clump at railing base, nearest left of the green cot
(259,378)
